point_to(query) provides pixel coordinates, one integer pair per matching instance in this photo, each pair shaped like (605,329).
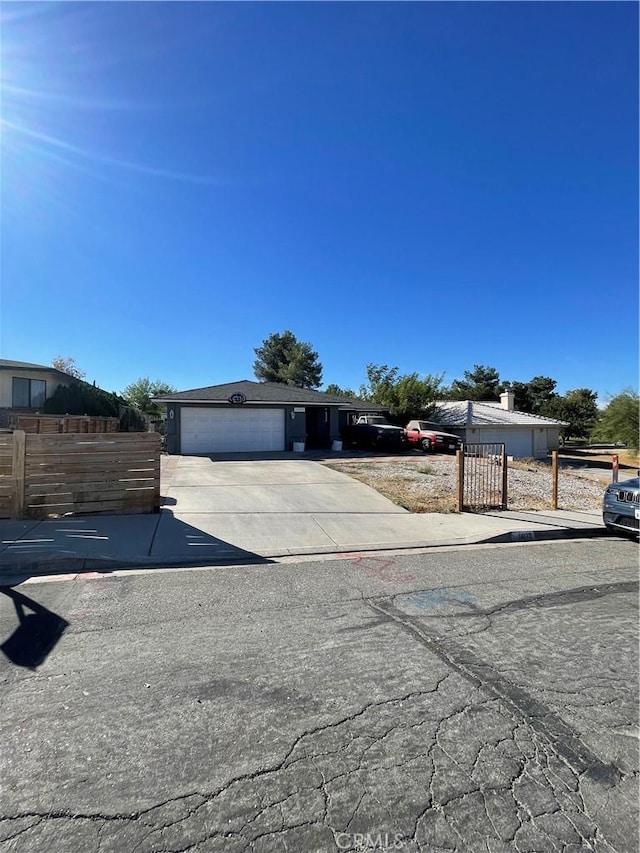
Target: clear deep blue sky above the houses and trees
(424,185)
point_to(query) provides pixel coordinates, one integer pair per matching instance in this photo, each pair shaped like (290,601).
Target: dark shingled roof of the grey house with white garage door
(266,392)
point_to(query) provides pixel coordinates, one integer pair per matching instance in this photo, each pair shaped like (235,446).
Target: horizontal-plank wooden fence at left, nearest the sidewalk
(54,475)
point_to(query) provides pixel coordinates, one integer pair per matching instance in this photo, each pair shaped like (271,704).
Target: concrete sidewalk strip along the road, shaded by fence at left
(107,542)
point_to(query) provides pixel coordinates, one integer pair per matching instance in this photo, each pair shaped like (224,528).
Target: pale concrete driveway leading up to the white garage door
(268,505)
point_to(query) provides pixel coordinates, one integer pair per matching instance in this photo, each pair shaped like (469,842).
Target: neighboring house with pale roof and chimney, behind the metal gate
(524,435)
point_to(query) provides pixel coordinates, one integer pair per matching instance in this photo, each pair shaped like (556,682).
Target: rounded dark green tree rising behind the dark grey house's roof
(283,358)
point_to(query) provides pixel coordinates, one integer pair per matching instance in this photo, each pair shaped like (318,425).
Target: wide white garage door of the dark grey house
(225,430)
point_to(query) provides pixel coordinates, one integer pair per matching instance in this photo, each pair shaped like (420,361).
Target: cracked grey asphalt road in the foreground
(480,699)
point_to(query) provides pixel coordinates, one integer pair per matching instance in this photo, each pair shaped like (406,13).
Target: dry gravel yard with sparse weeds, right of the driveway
(423,483)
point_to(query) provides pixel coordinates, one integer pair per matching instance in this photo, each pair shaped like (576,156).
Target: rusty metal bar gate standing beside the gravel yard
(483,477)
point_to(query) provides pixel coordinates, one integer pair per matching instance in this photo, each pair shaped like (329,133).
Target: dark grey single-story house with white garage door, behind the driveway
(255,416)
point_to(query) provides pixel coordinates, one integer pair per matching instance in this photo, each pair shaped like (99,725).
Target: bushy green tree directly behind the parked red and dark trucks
(404,397)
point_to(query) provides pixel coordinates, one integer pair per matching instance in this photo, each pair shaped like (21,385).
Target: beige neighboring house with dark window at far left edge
(24,387)
